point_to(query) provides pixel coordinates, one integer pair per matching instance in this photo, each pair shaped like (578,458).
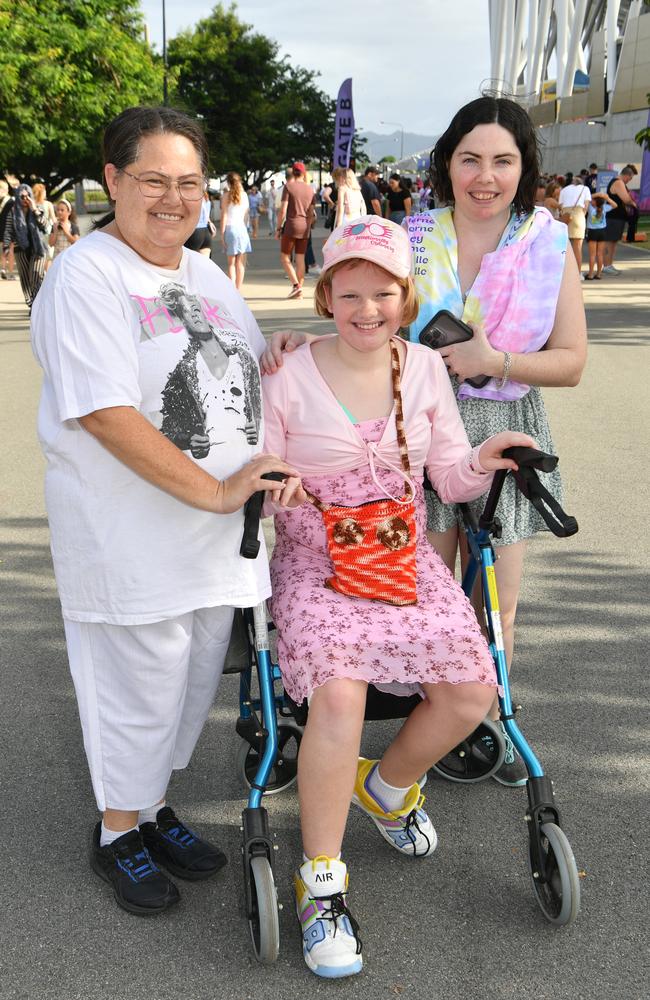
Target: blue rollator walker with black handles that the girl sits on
(271,724)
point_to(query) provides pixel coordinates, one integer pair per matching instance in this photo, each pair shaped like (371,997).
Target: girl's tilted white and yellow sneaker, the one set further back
(408,829)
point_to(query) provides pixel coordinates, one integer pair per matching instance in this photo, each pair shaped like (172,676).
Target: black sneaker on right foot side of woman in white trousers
(178,849)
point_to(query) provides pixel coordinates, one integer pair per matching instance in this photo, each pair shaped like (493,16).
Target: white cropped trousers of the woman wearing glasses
(144,693)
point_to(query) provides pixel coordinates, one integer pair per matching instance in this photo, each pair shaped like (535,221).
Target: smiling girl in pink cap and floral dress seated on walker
(332,411)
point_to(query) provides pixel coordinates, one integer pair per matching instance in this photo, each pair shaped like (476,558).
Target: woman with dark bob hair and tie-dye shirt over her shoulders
(494,259)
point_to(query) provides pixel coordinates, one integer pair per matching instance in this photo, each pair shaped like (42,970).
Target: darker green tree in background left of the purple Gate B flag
(260,112)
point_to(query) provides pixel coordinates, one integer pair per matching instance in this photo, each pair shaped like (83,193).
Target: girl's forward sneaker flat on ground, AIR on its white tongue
(330,934)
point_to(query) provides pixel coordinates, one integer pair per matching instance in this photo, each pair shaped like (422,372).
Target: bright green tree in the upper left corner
(66,68)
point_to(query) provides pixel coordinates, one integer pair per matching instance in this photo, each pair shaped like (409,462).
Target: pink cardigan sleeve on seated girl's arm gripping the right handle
(452,465)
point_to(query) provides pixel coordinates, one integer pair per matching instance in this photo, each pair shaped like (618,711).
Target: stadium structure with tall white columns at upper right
(581,68)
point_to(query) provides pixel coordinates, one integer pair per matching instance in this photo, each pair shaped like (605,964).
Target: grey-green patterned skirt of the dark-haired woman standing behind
(482,419)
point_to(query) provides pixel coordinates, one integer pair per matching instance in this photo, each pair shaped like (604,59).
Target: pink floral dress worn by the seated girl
(323,634)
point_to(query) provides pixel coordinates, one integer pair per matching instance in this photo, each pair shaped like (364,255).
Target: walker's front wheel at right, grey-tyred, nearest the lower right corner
(559,895)
